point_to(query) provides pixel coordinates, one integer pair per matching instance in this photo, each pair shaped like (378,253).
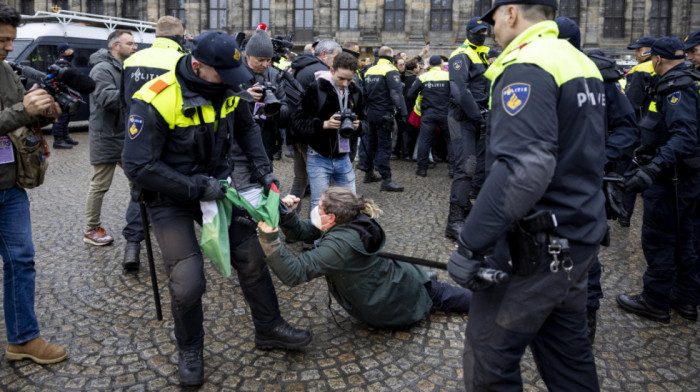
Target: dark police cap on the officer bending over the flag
(219,50)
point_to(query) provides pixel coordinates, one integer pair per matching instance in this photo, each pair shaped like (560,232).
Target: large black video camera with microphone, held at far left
(58,82)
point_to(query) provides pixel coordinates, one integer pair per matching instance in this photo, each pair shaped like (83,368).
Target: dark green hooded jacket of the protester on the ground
(378,291)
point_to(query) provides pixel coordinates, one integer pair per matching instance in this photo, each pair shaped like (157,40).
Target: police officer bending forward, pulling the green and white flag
(179,145)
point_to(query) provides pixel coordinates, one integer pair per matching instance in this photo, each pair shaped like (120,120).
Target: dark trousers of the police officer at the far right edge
(670,275)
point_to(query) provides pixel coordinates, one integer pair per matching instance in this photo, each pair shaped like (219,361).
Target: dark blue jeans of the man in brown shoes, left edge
(17,251)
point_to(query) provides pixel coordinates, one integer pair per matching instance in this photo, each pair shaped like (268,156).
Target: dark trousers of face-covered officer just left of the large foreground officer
(464,137)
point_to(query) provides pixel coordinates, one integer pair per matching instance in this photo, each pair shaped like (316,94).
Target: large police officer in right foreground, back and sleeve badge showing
(545,156)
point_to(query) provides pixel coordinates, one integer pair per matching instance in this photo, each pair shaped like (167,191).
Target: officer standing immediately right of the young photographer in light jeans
(384,93)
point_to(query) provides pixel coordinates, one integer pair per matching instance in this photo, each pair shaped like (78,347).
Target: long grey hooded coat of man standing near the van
(107,110)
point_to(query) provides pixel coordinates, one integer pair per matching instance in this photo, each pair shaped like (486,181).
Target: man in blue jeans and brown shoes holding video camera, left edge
(18,109)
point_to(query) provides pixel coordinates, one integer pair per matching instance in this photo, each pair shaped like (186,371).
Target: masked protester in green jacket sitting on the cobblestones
(379,291)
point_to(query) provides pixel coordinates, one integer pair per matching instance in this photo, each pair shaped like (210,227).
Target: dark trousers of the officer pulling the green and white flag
(173,226)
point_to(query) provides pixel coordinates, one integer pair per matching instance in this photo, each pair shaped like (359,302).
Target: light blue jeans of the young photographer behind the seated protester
(326,171)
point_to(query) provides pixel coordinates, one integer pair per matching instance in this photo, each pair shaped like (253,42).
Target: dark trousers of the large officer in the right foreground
(545,311)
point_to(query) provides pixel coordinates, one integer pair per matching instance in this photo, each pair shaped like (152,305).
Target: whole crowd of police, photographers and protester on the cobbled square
(543,146)
